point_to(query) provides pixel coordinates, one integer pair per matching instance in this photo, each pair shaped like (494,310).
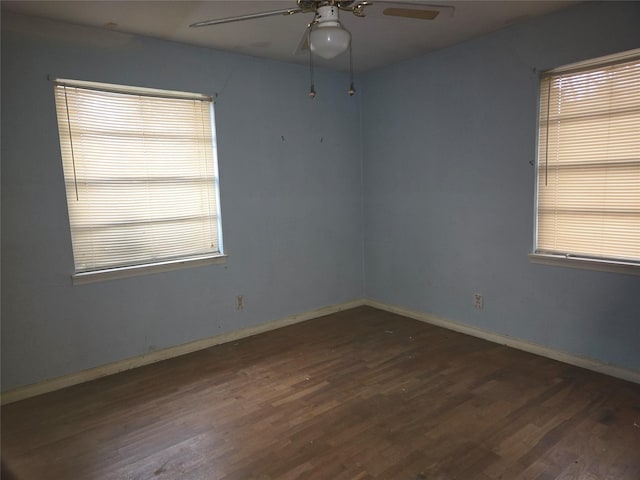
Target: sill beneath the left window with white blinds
(82,278)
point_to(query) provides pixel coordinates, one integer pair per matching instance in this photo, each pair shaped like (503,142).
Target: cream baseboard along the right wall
(569,358)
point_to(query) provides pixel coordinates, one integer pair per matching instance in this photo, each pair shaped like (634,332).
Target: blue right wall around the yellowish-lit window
(449,188)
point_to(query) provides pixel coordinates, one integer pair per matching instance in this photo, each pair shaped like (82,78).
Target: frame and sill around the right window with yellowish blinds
(575,260)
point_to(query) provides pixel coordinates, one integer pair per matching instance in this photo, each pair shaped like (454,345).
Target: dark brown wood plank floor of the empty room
(360,394)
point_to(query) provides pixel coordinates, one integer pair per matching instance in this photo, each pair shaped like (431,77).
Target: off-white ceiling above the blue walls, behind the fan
(377,40)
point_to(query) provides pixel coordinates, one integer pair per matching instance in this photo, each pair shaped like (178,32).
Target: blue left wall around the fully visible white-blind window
(291,208)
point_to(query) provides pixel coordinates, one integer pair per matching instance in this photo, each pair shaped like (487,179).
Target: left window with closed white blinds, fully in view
(140,171)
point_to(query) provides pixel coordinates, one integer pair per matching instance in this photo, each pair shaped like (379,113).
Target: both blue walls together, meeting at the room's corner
(448,196)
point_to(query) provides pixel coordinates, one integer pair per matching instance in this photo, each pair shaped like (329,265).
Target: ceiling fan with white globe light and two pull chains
(325,36)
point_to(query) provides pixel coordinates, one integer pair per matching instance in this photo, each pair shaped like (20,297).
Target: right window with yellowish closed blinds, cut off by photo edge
(588,185)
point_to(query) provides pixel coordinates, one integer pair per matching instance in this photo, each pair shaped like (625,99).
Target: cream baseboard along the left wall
(58,383)
